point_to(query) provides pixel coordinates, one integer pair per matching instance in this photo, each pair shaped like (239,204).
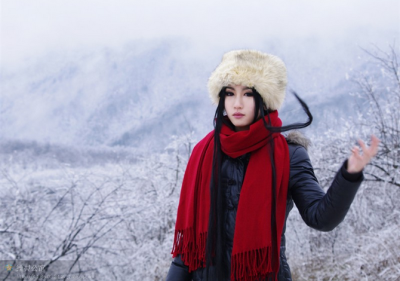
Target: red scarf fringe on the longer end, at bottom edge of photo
(253,265)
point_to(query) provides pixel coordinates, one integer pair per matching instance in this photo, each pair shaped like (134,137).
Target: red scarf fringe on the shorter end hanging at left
(192,254)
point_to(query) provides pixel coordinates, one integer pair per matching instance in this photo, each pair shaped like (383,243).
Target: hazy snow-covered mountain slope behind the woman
(140,95)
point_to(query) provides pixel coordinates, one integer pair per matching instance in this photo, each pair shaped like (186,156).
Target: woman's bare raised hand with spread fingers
(358,161)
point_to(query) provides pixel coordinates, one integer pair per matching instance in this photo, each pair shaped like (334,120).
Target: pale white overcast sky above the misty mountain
(31,28)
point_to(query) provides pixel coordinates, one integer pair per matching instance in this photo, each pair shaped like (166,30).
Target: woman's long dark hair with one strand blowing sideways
(215,246)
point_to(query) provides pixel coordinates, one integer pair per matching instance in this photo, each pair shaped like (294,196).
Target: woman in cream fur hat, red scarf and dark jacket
(243,177)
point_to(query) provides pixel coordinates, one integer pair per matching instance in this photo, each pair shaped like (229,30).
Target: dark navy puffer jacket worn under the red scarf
(319,210)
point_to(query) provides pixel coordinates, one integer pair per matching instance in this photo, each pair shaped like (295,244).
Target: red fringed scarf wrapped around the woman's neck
(252,244)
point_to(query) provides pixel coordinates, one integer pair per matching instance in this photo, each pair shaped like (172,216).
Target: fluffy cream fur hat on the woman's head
(266,73)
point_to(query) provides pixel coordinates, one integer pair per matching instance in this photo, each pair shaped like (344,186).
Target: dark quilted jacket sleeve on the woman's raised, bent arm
(319,210)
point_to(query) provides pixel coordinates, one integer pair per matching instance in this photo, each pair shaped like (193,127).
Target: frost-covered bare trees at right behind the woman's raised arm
(366,245)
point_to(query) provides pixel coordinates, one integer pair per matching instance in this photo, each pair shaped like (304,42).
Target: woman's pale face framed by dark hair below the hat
(239,106)
